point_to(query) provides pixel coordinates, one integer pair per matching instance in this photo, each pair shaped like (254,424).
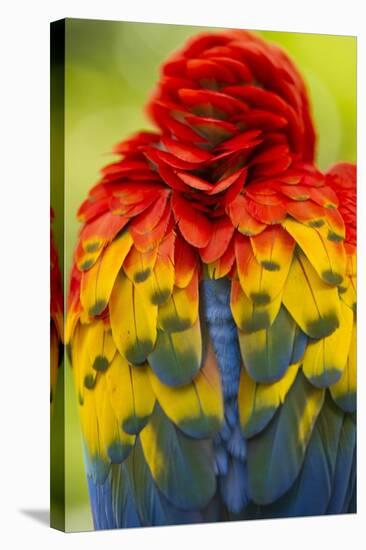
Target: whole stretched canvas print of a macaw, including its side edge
(203,275)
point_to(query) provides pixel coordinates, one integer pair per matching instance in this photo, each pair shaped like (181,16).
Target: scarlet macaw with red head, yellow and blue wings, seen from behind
(211,318)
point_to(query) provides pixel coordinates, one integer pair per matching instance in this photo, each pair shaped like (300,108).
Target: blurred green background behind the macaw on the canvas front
(111,68)
